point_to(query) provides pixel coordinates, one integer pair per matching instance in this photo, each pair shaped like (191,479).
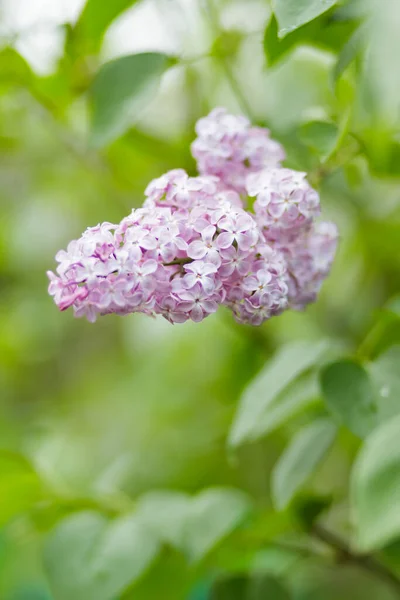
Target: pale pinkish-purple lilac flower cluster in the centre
(193,246)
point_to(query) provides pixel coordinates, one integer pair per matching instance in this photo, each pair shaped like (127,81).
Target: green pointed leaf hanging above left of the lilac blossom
(121,90)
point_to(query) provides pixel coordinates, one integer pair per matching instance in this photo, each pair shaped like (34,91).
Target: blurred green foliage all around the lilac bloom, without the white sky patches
(214,461)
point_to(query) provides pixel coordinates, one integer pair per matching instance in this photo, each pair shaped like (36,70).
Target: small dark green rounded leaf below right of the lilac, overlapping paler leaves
(349,394)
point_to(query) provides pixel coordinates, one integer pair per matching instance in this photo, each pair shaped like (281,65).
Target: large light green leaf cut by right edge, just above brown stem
(375,488)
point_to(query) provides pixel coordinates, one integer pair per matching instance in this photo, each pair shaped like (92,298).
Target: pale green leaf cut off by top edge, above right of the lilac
(291,14)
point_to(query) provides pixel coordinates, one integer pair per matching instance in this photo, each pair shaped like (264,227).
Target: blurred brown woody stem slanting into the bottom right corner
(366,562)
